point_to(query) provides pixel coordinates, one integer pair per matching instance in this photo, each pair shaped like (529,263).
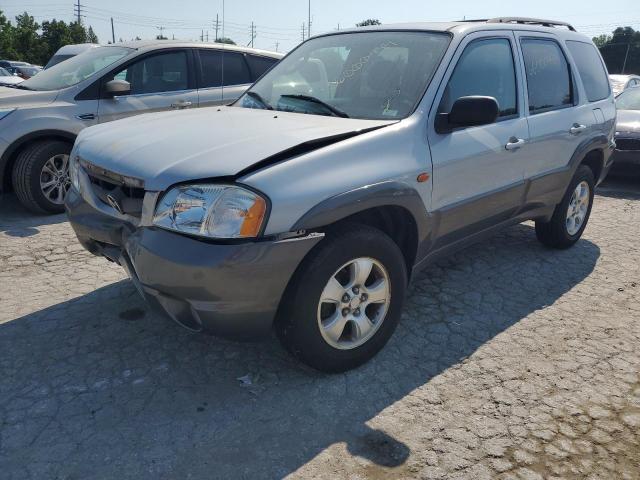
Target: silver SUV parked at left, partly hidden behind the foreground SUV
(40,117)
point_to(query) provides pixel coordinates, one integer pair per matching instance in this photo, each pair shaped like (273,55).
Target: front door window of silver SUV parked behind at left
(166,72)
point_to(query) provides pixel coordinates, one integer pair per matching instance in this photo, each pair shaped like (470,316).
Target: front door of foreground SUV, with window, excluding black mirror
(478,171)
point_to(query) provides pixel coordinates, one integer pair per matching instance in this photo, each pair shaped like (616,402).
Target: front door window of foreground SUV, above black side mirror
(486,68)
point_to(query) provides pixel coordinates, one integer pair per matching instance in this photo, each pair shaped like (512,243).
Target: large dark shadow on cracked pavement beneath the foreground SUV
(98,387)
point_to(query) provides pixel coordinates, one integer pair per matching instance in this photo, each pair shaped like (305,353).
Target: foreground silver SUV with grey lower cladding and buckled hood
(357,160)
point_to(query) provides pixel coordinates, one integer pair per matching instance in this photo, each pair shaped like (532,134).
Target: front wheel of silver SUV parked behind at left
(29,171)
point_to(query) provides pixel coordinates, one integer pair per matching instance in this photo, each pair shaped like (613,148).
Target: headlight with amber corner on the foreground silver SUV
(214,211)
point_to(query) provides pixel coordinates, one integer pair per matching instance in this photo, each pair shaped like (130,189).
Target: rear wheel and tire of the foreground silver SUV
(560,232)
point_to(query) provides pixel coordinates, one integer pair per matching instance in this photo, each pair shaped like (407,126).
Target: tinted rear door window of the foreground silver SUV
(548,75)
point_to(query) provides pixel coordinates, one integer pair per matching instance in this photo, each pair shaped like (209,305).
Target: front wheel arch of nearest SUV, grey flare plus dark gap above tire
(392,207)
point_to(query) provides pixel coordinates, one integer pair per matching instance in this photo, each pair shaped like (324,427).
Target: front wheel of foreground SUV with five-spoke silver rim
(302,315)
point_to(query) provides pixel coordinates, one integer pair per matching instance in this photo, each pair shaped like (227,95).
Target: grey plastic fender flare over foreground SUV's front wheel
(383,194)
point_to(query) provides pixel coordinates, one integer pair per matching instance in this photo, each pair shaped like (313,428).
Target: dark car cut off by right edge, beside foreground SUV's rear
(627,153)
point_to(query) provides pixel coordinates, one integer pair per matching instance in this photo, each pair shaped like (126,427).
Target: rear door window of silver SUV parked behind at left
(236,71)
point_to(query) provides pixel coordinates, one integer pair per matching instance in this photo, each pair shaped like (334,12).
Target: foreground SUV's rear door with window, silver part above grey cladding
(559,119)
